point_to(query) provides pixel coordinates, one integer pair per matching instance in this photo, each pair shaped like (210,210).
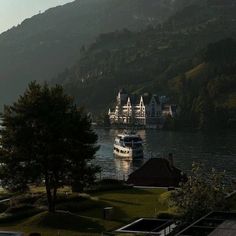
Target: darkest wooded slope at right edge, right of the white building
(207,92)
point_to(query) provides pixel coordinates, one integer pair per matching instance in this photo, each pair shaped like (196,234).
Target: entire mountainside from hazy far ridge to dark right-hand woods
(158,46)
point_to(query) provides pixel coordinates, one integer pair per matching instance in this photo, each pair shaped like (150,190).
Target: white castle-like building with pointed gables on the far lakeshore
(140,110)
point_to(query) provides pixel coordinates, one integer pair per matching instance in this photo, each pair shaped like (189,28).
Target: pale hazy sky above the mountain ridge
(13,12)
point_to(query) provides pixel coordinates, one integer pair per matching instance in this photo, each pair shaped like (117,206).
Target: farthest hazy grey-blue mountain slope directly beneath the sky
(47,43)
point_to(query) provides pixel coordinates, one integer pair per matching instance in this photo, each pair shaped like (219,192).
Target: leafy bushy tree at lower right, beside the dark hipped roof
(203,192)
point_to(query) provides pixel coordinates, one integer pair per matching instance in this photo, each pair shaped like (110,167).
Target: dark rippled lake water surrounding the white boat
(215,150)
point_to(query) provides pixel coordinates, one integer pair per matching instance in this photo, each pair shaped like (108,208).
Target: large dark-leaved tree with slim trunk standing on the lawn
(46,138)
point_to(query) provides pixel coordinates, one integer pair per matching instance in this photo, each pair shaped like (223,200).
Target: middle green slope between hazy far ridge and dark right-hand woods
(146,60)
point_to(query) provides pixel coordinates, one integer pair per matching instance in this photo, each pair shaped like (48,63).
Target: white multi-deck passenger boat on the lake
(128,145)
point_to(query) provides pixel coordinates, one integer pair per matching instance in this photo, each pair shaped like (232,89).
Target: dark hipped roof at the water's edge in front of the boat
(156,172)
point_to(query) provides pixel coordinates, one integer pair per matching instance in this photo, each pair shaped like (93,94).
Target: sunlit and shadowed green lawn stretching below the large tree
(87,217)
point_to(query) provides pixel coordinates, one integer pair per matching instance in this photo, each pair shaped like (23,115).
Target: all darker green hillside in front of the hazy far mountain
(158,59)
